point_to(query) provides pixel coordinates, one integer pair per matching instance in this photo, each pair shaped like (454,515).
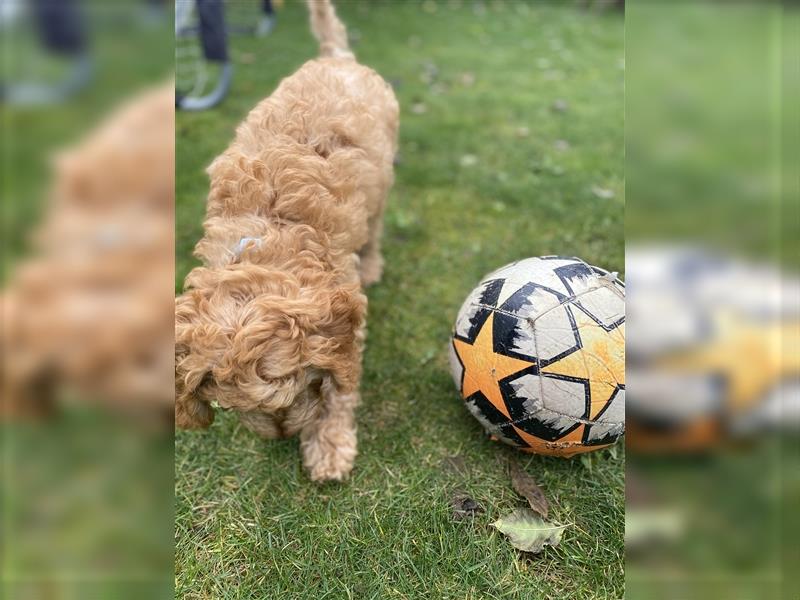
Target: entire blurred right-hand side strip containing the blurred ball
(713,358)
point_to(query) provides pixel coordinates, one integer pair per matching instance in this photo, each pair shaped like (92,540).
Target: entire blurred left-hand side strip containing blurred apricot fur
(87,110)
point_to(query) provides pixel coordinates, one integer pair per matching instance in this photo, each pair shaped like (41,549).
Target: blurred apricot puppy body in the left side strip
(89,316)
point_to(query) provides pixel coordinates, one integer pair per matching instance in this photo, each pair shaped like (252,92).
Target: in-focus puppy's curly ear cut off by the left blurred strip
(191,368)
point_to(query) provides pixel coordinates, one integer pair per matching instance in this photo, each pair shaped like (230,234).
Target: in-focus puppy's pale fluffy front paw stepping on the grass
(329,441)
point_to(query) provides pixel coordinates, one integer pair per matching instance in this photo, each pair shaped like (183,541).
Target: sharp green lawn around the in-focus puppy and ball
(249,523)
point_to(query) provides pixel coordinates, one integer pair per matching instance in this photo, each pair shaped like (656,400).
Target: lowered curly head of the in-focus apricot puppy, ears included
(264,343)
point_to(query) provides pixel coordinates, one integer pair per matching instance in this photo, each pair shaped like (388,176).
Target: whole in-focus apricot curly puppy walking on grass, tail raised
(272,325)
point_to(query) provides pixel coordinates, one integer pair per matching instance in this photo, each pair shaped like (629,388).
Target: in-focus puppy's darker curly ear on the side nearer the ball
(335,345)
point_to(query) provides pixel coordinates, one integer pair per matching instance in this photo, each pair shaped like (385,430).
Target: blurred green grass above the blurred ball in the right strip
(708,122)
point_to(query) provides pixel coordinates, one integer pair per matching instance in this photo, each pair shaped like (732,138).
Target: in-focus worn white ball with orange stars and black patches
(538,354)
